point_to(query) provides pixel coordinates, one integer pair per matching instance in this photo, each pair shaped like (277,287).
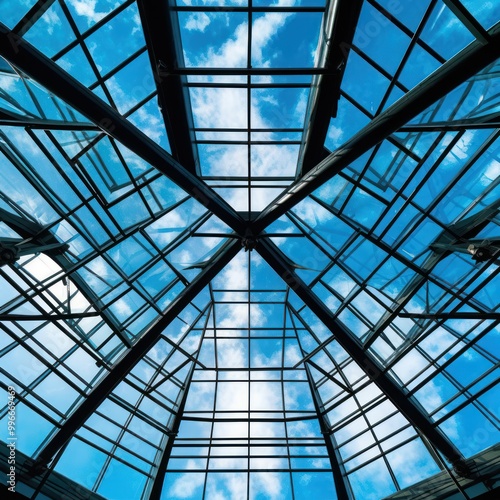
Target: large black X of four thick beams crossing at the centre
(30,61)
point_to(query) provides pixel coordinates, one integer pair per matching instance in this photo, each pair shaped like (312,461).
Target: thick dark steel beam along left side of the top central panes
(163,37)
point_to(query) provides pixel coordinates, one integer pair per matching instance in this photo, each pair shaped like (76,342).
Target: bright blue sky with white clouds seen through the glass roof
(384,200)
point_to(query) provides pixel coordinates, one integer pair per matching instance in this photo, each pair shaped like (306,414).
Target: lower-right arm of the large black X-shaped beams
(408,407)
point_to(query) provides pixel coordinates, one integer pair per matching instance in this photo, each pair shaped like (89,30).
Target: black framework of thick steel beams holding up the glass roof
(183,169)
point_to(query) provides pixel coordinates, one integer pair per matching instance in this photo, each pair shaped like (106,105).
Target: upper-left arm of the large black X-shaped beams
(43,70)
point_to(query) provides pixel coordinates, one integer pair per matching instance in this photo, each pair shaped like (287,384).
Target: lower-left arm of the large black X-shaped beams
(133,356)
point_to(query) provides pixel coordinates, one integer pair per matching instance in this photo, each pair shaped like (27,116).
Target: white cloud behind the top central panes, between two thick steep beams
(227,108)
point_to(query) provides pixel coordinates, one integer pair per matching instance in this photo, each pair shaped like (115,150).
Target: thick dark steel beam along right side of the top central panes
(339,25)
